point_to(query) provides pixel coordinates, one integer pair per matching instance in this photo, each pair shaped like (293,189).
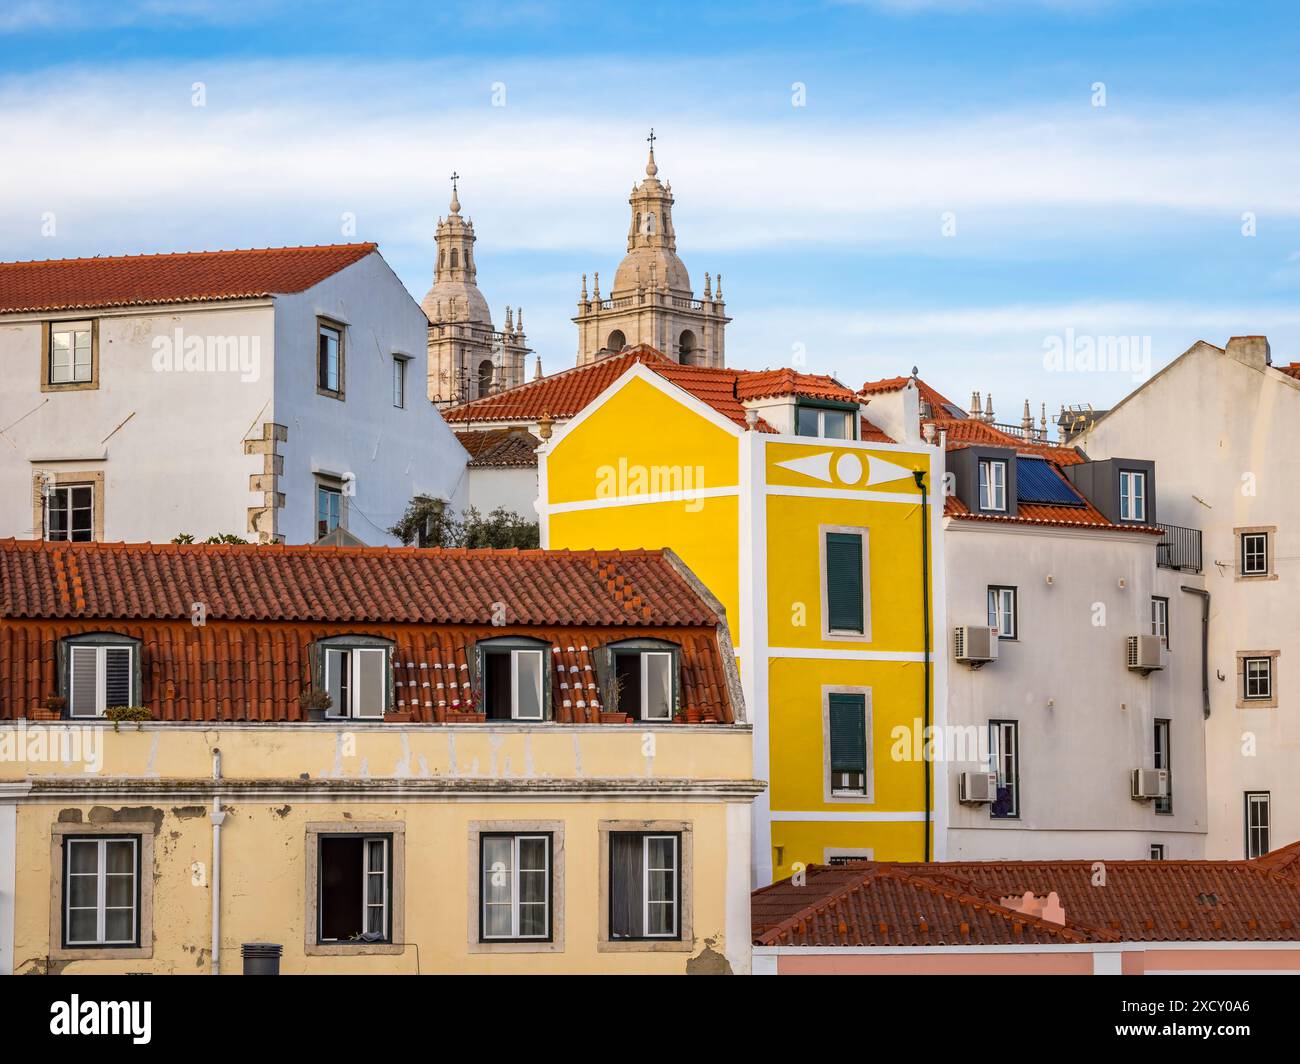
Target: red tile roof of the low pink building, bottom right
(1142,902)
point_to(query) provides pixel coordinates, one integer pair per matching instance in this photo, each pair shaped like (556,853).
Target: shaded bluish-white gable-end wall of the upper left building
(395,455)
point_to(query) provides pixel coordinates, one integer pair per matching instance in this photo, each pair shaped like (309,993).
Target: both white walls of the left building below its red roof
(171,444)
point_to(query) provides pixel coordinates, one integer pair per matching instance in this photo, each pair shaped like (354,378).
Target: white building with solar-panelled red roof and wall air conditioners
(1041,546)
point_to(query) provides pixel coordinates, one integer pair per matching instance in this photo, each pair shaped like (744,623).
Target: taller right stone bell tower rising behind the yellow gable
(652,301)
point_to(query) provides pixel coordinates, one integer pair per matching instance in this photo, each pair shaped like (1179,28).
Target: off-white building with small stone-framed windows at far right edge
(1224,429)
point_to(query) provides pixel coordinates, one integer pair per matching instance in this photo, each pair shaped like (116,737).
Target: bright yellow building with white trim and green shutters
(813,529)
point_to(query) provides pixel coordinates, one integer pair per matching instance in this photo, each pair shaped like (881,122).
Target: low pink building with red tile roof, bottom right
(1034,918)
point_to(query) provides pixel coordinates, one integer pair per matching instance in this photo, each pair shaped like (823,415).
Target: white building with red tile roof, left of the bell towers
(275,395)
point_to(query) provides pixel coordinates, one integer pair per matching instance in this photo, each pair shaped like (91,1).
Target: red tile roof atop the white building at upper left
(188,278)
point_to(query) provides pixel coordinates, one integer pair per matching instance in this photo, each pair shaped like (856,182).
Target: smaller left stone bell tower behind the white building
(469,358)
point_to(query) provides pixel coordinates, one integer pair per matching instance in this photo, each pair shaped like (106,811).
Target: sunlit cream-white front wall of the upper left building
(170,444)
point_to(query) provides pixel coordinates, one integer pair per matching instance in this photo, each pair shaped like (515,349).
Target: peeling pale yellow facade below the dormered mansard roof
(435,786)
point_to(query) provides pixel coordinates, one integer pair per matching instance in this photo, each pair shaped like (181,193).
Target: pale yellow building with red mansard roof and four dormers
(384,762)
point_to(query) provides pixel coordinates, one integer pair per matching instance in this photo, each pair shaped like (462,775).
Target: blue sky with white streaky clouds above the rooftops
(826,220)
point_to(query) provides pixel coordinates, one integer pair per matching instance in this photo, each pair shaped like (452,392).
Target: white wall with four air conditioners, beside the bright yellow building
(1076,755)
